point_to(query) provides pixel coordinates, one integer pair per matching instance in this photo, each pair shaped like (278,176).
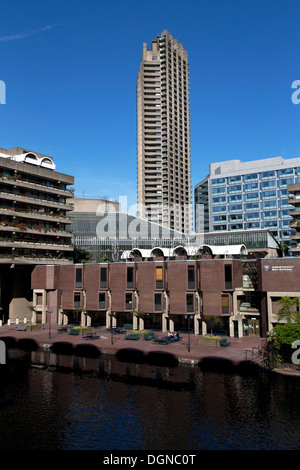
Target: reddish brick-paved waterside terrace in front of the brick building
(187,350)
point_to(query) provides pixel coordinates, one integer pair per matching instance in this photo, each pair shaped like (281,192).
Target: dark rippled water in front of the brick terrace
(67,402)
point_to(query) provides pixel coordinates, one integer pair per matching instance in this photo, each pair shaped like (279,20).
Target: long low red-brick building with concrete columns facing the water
(238,297)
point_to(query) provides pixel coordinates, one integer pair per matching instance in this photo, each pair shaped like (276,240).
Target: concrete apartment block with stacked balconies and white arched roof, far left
(35,201)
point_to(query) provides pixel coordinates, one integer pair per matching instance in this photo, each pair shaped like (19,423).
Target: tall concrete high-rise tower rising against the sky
(163,135)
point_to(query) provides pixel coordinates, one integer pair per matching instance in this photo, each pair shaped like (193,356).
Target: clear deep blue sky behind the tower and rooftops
(70,69)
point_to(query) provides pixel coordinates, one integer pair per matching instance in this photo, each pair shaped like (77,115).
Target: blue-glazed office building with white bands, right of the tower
(248,196)
